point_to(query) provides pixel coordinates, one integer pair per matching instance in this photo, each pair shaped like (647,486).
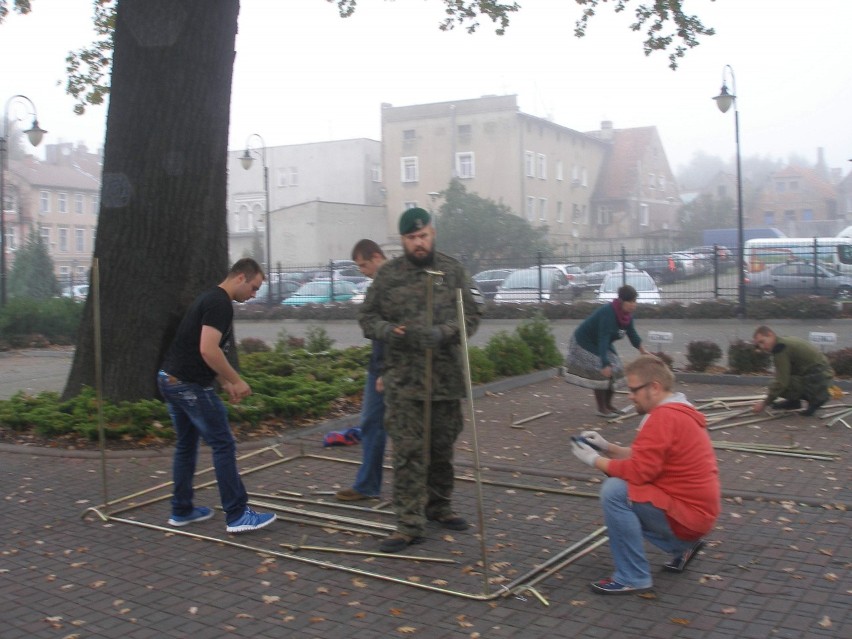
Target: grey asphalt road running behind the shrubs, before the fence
(40,370)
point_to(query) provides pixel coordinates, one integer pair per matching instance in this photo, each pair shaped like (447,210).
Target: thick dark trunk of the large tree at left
(162,233)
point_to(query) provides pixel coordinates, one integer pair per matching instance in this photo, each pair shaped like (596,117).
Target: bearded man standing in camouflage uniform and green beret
(395,311)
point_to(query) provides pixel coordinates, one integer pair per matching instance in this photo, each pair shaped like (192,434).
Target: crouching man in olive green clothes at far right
(802,372)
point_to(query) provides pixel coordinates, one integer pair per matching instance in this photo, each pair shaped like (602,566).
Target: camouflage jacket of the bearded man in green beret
(397,297)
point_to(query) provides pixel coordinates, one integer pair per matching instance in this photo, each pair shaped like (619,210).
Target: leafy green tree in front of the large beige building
(486,234)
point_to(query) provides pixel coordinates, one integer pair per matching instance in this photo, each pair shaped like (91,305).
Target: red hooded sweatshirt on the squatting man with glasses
(672,465)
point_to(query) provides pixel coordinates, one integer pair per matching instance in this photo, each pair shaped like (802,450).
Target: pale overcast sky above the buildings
(305,75)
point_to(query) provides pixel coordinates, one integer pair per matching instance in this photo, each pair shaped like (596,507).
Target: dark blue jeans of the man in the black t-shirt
(197,412)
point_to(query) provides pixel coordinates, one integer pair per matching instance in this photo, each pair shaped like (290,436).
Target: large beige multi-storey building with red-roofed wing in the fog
(589,189)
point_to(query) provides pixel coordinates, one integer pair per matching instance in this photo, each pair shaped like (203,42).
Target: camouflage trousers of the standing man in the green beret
(422,490)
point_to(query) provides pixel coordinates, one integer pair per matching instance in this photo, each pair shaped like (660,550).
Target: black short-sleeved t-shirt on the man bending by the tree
(183,360)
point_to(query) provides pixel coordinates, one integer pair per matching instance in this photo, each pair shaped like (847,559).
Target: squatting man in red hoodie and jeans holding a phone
(664,488)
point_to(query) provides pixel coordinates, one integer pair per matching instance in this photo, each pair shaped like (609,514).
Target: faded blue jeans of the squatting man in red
(628,523)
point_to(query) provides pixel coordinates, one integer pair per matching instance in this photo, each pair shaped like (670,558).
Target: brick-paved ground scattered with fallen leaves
(777,565)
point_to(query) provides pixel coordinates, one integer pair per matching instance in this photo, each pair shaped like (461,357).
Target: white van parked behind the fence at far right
(833,252)
